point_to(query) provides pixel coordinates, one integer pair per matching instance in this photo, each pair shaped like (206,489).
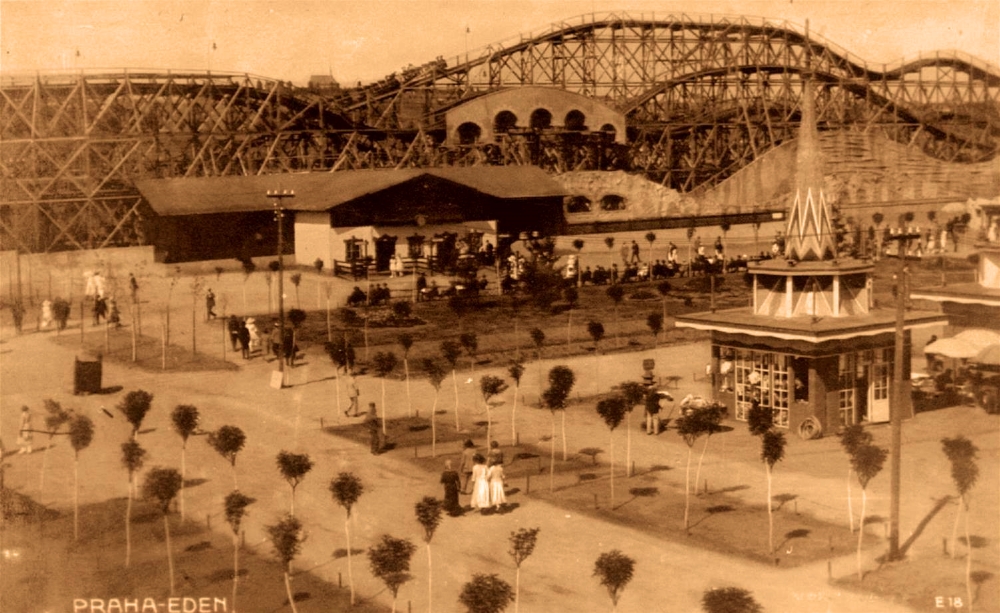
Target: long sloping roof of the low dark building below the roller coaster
(320,191)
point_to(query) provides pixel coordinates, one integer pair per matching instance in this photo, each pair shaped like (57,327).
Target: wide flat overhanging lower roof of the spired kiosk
(743,321)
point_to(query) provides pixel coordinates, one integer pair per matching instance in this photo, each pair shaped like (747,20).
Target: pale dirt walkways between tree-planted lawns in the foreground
(559,573)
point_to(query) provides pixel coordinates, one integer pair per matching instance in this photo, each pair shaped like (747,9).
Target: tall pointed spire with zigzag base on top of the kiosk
(809,232)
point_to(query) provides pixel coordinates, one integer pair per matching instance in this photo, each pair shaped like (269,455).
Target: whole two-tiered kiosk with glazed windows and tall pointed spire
(812,346)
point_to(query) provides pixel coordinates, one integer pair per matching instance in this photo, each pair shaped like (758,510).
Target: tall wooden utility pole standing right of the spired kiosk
(902,237)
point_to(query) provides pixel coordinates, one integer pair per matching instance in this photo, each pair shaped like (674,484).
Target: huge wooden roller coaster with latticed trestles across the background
(703,97)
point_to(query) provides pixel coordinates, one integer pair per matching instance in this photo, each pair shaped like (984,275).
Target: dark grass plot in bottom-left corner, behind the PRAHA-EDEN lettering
(45,570)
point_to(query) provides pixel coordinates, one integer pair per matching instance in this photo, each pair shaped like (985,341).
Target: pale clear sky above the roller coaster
(365,40)
